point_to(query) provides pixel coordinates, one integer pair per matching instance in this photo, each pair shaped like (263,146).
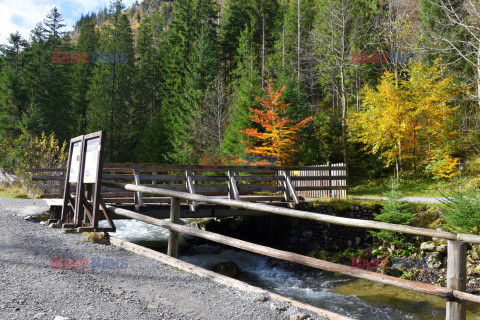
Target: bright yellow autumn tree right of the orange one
(411,121)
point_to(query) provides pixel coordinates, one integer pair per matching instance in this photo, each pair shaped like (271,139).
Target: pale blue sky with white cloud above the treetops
(23,15)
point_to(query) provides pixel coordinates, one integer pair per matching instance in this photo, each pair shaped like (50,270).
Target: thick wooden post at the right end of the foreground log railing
(456,278)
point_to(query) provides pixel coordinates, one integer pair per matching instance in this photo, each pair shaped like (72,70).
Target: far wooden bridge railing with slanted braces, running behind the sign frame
(287,182)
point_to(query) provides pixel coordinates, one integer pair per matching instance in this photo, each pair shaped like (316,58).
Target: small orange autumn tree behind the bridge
(277,139)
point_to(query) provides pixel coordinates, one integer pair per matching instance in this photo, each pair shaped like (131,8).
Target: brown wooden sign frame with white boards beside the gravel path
(87,203)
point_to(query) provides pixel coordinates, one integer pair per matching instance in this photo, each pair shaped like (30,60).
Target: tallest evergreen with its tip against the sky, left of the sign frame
(49,83)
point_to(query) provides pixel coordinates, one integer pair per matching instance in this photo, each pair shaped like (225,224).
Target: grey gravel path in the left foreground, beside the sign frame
(31,289)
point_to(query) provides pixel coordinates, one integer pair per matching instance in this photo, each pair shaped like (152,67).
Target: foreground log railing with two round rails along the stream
(454,293)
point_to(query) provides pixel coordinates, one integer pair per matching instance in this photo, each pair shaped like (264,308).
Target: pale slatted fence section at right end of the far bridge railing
(325,181)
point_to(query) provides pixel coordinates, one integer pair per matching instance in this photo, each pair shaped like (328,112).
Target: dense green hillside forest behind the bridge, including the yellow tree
(390,85)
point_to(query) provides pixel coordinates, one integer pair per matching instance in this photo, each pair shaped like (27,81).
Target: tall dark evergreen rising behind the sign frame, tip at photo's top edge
(110,95)
